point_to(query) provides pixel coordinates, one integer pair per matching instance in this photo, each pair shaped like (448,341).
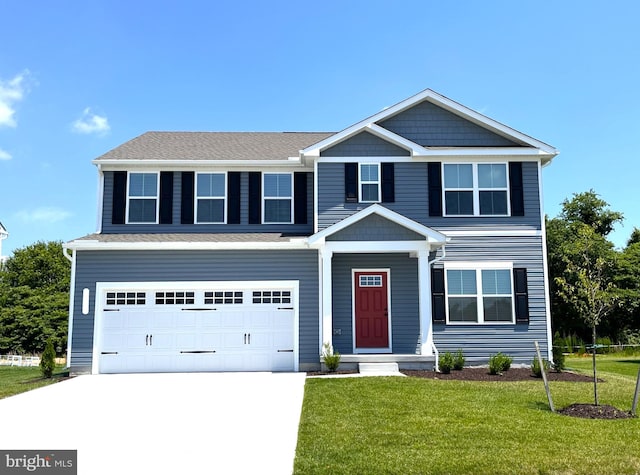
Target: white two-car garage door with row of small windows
(210,329)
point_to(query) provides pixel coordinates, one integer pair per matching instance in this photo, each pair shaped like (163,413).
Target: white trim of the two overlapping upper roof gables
(372,124)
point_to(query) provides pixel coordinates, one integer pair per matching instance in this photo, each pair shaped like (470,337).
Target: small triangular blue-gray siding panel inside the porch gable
(375,228)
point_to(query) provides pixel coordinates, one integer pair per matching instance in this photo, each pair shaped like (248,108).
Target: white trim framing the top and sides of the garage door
(102,287)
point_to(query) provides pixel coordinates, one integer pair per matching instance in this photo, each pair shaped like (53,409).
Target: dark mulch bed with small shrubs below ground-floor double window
(482,374)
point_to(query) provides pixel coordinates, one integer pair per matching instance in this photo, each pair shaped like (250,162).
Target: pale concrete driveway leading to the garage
(194,423)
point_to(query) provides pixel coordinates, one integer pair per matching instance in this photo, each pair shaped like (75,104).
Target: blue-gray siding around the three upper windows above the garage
(176,227)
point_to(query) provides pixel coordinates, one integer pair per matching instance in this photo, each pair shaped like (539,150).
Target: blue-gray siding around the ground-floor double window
(480,341)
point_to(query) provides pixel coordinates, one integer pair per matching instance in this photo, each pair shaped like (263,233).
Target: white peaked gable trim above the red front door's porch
(429,234)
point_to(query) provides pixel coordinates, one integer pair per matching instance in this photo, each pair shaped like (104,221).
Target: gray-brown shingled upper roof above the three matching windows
(215,146)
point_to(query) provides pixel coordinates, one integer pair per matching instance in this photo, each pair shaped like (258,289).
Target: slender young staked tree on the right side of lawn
(587,283)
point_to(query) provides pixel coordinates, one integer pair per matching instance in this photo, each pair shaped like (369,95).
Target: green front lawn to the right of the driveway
(419,426)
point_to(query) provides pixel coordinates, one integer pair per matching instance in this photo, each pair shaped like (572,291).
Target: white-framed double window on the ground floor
(479,294)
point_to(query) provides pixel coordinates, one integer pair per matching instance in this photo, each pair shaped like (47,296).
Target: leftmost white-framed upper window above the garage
(142,198)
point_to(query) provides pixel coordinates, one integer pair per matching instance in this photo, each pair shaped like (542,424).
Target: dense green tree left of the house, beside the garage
(34,299)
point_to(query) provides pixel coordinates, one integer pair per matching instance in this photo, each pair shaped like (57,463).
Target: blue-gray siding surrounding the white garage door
(159,266)
